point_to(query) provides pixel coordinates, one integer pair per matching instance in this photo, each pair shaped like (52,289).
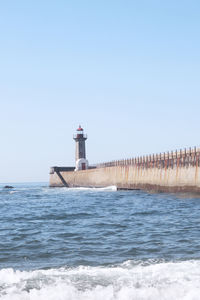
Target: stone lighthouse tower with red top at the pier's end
(80,138)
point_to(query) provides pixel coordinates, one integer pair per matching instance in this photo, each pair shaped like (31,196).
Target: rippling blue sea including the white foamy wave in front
(98,244)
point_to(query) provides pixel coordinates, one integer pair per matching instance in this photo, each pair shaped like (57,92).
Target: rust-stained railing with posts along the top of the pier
(182,158)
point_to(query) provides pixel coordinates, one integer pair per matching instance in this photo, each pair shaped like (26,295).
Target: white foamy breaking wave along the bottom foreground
(150,281)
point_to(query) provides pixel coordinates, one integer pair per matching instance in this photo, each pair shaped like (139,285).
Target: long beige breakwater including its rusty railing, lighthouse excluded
(173,171)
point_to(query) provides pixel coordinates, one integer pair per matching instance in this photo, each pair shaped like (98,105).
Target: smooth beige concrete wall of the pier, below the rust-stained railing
(131,177)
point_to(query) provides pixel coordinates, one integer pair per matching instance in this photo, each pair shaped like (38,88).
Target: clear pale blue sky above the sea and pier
(127,71)
